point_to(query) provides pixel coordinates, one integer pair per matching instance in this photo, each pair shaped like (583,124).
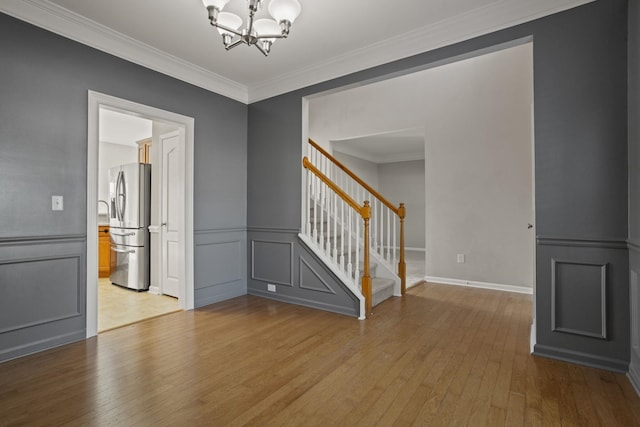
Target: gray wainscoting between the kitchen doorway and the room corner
(220,265)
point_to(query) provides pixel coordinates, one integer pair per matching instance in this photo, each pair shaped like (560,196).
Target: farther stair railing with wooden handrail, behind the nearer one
(386,218)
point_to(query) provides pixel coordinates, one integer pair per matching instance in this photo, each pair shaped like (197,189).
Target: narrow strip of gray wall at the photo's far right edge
(634,188)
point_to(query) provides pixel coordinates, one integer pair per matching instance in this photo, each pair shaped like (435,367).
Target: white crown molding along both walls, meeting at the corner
(493,17)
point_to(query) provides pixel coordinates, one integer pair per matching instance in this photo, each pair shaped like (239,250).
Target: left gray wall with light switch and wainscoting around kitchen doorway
(44,80)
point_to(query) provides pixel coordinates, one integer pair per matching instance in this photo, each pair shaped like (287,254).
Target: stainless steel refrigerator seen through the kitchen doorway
(130,199)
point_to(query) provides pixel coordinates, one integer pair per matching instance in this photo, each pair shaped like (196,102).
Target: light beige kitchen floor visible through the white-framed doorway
(118,306)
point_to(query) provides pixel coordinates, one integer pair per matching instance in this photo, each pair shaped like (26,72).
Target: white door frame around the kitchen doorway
(97,100)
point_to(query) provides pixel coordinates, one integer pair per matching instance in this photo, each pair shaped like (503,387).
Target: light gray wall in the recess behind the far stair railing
(403,182)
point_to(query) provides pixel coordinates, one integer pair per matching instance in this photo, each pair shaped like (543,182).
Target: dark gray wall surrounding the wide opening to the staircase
(580,161)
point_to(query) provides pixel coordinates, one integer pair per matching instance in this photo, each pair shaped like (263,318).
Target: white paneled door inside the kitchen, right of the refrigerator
(171,217)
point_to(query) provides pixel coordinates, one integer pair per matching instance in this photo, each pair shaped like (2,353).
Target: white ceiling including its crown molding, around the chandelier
(330,38)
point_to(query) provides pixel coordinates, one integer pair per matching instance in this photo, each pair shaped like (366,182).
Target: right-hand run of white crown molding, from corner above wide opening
(493,17)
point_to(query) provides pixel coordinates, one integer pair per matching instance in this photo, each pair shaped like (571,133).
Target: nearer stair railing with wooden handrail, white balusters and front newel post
(330,203)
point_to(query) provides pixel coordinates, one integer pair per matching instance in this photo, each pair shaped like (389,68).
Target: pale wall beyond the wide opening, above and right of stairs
(476,112)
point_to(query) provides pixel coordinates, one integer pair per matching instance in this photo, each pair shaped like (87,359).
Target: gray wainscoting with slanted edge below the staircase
(283,268)
